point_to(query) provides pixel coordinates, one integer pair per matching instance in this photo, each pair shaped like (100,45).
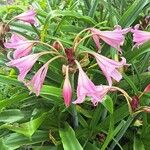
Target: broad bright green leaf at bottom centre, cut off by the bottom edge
(69,139)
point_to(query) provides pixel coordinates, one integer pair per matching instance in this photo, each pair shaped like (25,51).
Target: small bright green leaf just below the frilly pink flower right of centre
(108,103)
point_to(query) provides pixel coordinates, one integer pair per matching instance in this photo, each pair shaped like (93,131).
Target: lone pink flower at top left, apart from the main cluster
(28,16)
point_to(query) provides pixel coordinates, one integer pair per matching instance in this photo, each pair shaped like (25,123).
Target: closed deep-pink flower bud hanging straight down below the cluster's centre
(67,90)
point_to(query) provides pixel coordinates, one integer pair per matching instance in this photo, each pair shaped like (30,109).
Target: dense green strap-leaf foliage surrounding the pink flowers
(30,122)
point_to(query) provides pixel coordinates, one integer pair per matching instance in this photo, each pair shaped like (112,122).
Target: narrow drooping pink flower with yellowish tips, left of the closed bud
(37,81)
